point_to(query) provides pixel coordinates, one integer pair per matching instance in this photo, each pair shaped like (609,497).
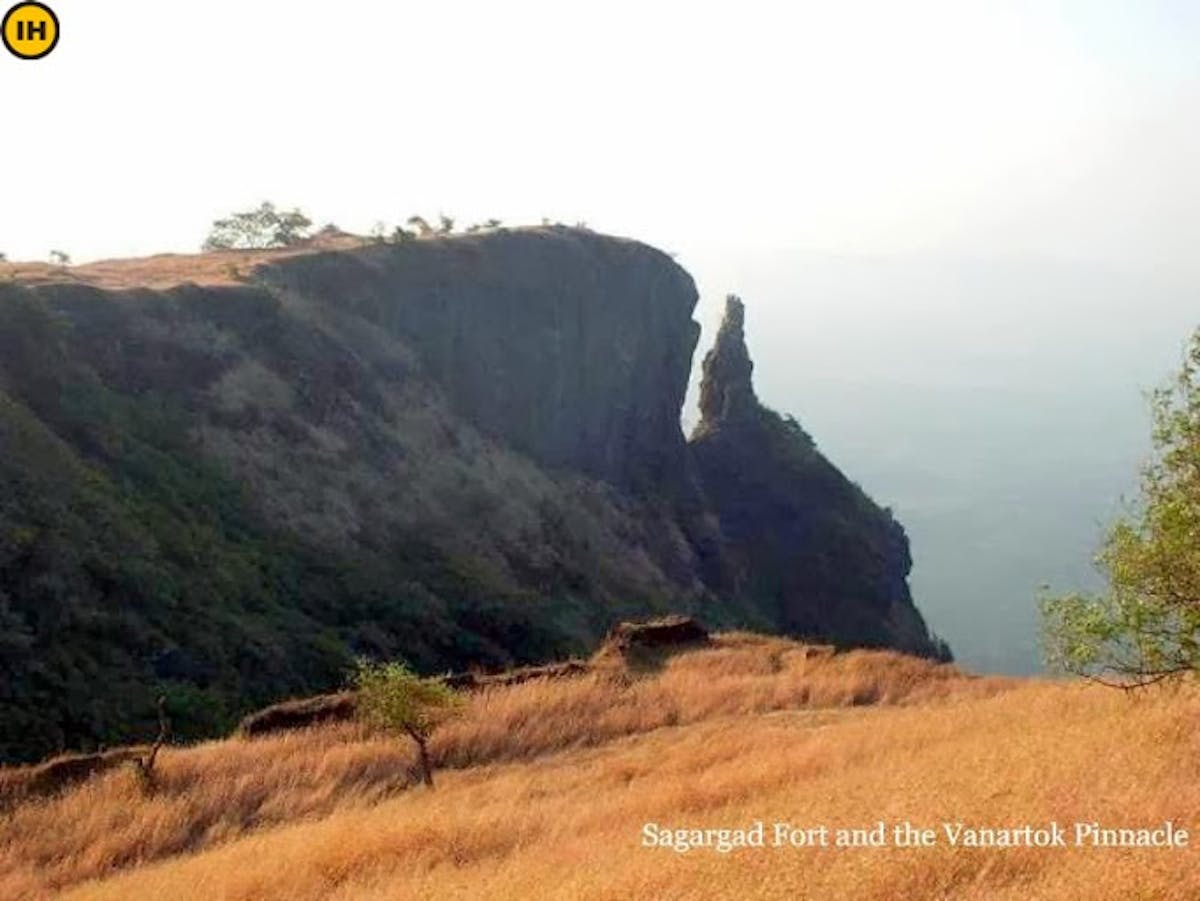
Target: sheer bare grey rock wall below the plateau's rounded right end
(574,350)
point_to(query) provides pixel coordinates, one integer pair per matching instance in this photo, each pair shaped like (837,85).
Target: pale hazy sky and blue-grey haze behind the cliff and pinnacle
(967,231)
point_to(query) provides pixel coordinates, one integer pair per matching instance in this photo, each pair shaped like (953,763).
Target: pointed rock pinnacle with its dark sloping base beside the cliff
(801,542)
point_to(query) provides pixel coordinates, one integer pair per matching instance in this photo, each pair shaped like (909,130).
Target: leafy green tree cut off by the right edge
(1147,628)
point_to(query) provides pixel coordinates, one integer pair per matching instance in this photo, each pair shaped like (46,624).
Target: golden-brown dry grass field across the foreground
(545,786)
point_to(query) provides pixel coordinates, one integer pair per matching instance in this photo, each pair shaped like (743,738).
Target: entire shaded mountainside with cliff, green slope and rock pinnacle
(465,452)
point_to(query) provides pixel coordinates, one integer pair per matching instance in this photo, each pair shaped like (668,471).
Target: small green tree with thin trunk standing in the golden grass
(393,698)
